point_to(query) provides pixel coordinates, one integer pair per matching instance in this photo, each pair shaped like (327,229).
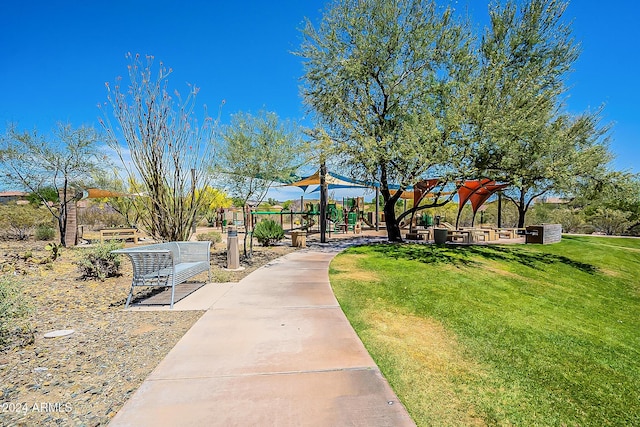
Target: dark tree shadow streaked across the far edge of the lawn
(459,255)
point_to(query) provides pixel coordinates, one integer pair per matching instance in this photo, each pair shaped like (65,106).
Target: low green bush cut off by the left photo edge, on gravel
(14,311)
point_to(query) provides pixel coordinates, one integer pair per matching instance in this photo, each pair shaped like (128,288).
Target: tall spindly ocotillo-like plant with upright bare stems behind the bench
(167,150)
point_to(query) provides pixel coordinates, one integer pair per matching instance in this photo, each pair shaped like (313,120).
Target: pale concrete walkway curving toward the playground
(274,349)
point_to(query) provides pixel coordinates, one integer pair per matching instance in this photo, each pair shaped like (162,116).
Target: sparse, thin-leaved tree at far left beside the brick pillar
(65,161)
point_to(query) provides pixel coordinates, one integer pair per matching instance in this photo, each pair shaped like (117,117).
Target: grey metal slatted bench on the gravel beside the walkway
(167,264)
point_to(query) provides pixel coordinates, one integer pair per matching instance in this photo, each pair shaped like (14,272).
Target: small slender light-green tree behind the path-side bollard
(256,152)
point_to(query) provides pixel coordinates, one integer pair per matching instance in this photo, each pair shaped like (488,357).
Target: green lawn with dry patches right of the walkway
(502,335)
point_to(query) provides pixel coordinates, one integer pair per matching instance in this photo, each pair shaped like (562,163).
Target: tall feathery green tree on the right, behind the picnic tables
(524,136)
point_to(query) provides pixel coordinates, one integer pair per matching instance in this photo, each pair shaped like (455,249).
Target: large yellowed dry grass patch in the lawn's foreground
(415,345)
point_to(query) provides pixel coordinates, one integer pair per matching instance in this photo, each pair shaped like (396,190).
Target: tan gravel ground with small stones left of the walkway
(84,378)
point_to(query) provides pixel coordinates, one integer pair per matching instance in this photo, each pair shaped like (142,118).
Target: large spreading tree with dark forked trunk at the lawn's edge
(388,83)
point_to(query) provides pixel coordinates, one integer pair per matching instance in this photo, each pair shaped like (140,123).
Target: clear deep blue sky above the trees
(57,55)
